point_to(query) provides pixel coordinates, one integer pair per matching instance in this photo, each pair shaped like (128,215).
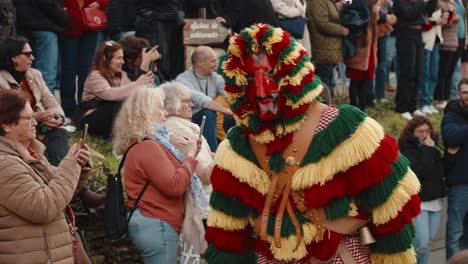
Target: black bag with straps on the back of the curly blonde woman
(115,211)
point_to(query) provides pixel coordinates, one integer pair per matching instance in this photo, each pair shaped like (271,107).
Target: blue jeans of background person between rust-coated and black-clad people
(381,74)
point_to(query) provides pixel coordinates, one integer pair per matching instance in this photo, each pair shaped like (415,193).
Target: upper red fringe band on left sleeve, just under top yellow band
(224,183)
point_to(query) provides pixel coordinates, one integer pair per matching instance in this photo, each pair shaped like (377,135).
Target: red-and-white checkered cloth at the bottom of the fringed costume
(360,253)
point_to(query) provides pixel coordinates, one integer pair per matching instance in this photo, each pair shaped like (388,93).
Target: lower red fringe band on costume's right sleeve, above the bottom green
(411,209)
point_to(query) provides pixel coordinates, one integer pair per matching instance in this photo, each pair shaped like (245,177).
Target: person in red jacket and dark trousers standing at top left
(77,48)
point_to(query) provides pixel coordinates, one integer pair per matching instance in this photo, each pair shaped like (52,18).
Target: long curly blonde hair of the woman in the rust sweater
(137,118)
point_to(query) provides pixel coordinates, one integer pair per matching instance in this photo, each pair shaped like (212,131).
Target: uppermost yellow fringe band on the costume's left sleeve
(242,169)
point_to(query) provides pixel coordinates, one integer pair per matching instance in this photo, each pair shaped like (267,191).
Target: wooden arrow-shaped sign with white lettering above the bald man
(203,32)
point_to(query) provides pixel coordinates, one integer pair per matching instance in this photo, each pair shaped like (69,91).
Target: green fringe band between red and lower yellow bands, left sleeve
(228,205)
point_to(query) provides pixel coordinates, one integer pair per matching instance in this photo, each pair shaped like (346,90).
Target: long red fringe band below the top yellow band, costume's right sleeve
(356,179)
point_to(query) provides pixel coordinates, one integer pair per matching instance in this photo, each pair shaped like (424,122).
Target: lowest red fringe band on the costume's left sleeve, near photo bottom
(235,241)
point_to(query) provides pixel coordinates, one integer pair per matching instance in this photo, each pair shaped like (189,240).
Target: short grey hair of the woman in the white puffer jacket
(172,91)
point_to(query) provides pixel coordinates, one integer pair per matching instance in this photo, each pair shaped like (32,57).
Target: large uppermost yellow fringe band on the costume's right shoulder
(359,147)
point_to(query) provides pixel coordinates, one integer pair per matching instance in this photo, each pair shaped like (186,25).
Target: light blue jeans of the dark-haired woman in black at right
(426,225)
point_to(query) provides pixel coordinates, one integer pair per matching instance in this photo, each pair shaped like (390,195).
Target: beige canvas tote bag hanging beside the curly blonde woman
(192,243)
